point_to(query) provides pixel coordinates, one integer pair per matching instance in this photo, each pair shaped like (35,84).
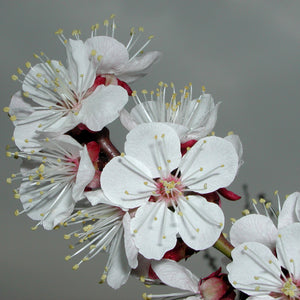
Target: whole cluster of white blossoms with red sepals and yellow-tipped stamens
(159,201)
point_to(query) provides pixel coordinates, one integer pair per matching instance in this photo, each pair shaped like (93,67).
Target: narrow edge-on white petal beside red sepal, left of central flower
(85,174)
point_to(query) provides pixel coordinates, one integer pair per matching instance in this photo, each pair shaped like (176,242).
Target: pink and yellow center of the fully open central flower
(169,188)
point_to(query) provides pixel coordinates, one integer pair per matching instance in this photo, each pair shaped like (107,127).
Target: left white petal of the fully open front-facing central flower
(123,182)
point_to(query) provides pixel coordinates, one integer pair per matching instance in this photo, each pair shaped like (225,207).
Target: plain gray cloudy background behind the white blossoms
(246,53)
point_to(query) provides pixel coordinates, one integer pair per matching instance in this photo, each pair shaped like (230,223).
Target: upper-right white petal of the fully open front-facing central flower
(211,163)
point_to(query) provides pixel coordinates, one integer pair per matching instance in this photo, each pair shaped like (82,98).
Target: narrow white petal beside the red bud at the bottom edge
(173,274)
